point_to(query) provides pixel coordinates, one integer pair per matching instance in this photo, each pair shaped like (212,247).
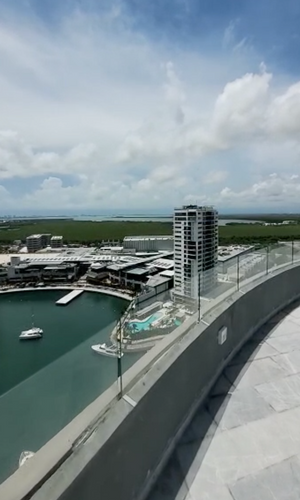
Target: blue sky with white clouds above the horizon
(138,106)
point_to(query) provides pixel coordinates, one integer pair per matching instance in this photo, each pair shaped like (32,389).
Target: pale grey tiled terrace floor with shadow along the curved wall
(245,442)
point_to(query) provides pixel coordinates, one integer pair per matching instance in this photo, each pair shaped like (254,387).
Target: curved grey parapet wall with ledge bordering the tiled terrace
(121,456)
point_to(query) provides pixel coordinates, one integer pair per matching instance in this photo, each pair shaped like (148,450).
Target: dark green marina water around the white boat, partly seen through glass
(45,383)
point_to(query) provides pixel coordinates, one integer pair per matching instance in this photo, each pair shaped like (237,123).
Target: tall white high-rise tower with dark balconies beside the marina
(195,251)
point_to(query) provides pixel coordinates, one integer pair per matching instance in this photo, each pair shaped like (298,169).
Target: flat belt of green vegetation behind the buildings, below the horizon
(93,232)
